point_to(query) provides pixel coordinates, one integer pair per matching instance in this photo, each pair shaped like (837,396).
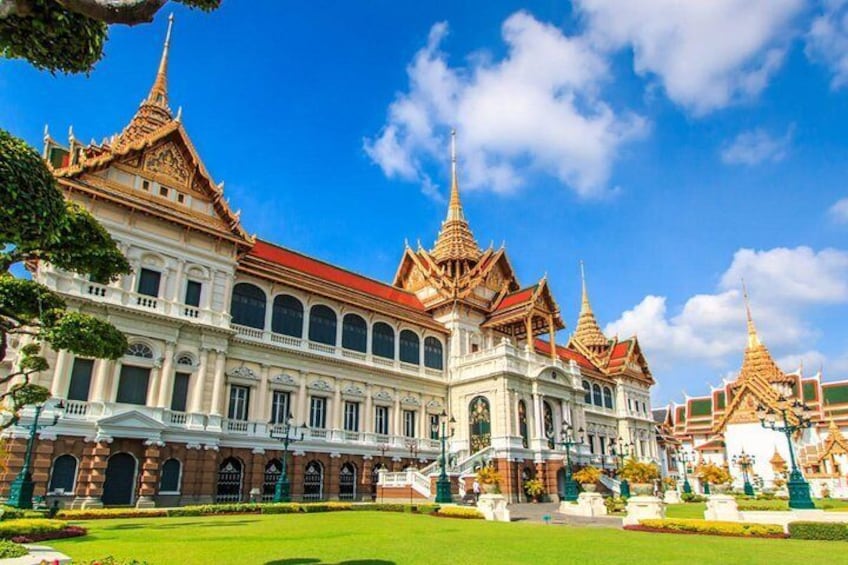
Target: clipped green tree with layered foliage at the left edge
(38,225)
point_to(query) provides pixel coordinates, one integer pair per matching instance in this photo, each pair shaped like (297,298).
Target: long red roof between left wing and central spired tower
(299,262)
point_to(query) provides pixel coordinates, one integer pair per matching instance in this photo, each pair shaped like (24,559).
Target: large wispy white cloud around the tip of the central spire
(536,110)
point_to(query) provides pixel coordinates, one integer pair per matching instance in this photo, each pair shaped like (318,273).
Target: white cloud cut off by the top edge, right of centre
(706,54)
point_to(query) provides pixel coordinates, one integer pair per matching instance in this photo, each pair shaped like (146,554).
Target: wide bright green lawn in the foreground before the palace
(384,538)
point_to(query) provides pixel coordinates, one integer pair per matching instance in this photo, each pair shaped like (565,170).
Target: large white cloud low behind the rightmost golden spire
(710,328)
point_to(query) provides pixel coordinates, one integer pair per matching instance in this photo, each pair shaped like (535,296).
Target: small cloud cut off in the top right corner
(827,40)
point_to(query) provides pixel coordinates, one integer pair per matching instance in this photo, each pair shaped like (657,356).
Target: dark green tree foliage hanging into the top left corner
(68,35)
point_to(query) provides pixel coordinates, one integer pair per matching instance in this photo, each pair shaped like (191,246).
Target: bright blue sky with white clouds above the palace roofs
(675,147)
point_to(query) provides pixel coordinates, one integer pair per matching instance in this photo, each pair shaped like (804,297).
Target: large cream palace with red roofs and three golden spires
(229,334)
